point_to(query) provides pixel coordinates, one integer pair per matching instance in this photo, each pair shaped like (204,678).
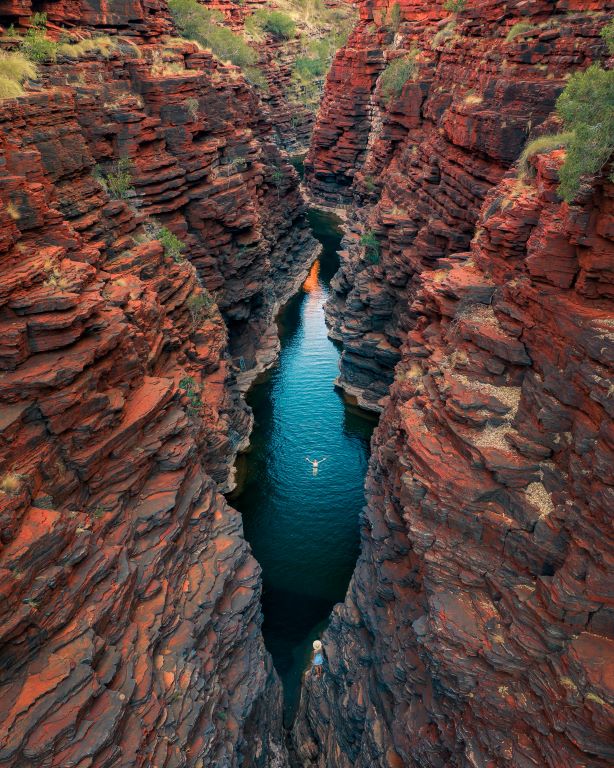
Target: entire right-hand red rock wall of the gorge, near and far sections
(478,629)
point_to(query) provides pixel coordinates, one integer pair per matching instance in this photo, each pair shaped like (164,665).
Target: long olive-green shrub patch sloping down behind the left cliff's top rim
(197,23)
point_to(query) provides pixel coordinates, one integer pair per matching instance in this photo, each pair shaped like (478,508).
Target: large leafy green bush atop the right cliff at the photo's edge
(586,107)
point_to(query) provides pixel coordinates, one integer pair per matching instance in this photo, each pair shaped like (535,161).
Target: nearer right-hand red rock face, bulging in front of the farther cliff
(478,628)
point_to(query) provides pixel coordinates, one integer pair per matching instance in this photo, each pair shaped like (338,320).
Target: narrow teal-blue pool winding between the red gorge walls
(303,528)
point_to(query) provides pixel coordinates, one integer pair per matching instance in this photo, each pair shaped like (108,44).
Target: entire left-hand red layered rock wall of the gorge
(129,600)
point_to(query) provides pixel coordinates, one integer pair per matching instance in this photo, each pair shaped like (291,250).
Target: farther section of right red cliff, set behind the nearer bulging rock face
(416,165)
